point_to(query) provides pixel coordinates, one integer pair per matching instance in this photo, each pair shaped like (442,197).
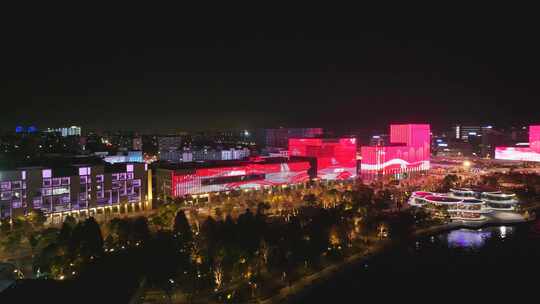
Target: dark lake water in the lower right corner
(495,264)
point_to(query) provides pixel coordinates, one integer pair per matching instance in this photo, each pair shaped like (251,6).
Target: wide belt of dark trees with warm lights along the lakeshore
(228,256)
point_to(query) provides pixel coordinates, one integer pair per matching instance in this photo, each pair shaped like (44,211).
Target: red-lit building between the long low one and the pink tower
(335,158)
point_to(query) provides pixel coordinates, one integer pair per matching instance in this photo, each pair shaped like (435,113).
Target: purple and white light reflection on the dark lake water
(475,239)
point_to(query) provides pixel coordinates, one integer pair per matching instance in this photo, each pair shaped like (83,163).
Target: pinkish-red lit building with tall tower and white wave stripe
(409,151)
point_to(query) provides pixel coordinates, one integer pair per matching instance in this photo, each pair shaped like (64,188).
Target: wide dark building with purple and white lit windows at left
(71,188)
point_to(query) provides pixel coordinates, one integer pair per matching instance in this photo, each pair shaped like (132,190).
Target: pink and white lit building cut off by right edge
(531,153)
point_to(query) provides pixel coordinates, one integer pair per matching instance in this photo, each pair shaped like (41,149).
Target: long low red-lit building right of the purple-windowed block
(199,178)
